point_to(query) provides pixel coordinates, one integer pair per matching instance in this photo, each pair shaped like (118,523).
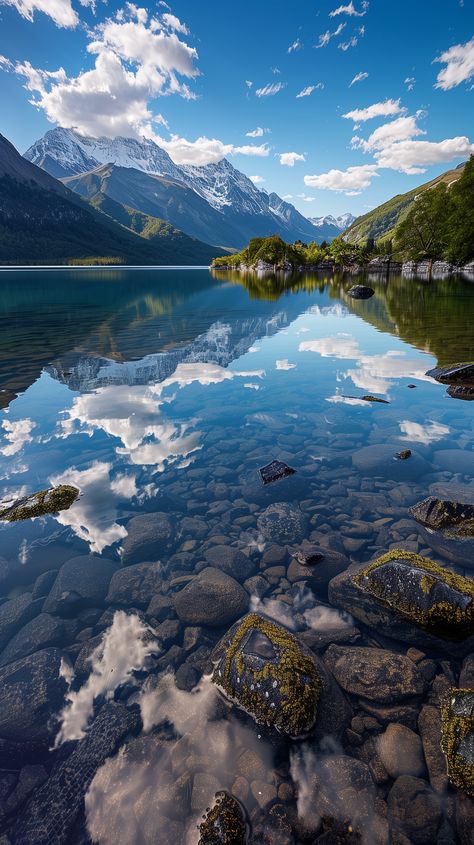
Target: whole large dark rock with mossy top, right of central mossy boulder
(411,598)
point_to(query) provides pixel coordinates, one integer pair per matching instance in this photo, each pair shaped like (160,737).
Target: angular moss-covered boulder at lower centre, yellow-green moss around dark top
(270,675)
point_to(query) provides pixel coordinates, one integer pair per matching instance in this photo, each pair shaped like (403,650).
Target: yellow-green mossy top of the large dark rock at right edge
(423,592)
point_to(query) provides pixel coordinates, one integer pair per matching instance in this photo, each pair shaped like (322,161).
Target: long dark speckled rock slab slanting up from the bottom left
(55,806)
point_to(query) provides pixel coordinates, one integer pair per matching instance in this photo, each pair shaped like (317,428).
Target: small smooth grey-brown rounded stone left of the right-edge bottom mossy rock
(400,751)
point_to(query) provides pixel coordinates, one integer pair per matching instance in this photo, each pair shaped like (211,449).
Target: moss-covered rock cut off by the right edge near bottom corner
(457,737)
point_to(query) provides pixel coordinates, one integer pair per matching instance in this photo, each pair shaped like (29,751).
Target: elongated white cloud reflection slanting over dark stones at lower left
(124,649)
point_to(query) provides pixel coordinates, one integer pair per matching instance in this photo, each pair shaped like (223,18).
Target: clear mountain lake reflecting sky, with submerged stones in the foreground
(160,394)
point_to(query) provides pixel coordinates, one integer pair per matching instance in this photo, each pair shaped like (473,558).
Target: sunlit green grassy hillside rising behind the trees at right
(382,221)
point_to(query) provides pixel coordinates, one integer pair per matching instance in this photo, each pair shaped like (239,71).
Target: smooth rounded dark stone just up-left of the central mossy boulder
(211,598)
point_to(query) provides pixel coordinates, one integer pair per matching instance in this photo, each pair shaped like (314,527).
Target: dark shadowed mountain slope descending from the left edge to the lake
(43,222)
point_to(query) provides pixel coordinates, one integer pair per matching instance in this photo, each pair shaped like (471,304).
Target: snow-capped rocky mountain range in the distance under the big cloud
(216,202)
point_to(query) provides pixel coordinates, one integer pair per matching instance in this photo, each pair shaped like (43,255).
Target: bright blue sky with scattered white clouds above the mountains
(335,106)
